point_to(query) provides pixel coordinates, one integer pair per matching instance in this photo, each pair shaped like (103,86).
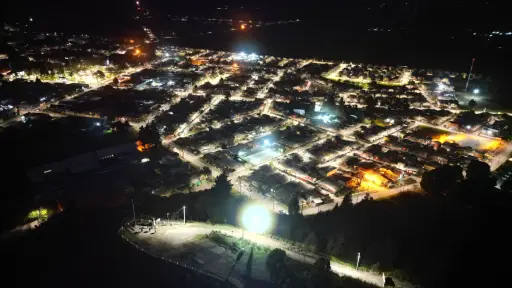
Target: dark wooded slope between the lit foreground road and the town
(451,235)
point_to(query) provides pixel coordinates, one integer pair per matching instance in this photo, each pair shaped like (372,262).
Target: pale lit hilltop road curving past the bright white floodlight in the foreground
(176,236)
